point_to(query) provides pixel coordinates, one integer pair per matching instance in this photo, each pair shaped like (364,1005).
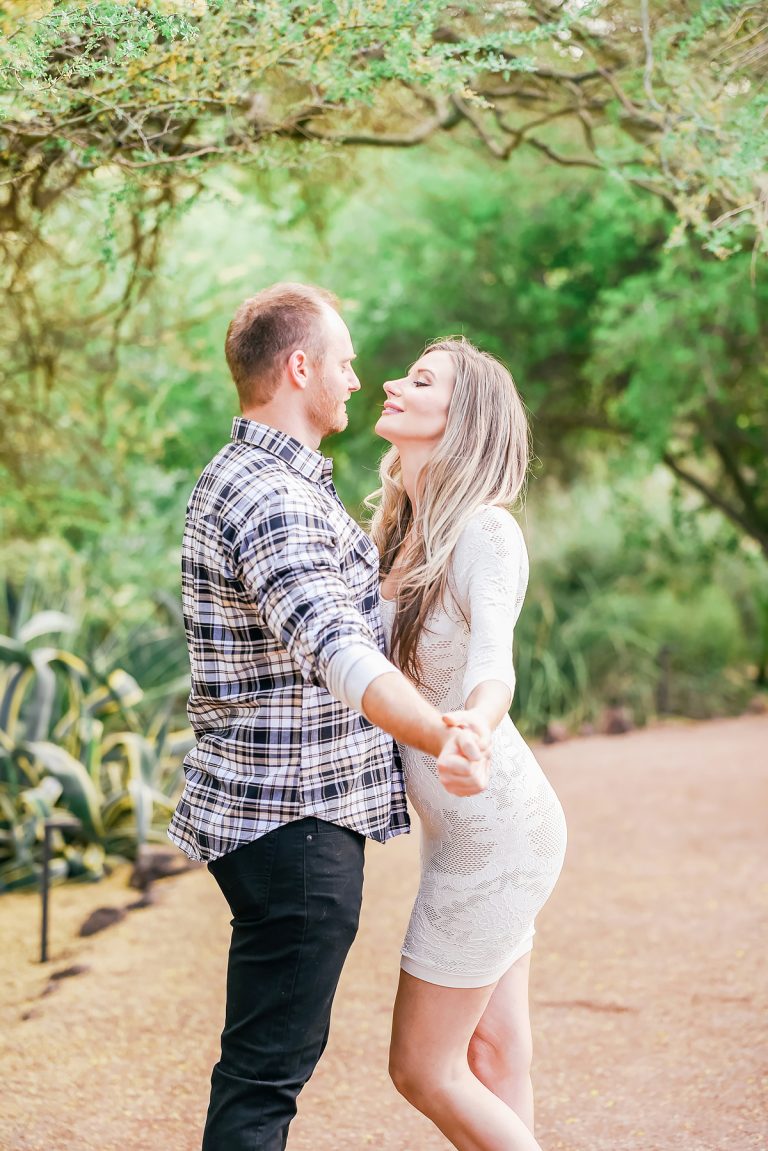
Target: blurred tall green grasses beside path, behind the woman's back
(633,603)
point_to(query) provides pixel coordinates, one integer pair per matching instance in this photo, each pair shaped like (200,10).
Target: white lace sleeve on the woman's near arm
(491,571)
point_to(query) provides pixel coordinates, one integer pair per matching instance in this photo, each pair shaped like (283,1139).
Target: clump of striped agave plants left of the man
(81,738)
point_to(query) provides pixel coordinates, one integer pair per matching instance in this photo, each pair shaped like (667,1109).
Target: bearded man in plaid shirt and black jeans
(291,703)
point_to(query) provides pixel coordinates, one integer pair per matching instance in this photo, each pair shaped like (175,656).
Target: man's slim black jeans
(295,897)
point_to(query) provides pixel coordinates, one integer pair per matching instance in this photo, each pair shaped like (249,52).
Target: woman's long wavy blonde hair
(483,459)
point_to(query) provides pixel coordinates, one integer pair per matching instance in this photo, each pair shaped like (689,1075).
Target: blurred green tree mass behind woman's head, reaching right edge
(622,338)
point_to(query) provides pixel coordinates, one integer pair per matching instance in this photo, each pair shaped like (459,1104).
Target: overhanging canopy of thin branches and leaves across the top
(672,96)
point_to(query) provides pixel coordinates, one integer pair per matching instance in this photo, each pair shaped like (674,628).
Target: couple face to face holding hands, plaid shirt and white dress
(290,609)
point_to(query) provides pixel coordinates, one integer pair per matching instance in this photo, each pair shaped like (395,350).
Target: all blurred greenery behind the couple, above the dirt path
(580,188)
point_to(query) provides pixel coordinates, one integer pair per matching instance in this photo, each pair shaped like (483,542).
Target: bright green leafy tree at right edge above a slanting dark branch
(679,362)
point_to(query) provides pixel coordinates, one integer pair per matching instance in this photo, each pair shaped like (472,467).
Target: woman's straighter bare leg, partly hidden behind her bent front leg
(501,1047)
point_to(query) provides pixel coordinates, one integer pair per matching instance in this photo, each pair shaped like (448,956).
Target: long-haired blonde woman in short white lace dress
(455,573)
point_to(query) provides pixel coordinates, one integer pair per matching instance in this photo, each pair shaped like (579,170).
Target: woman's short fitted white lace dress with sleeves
(489,862)
